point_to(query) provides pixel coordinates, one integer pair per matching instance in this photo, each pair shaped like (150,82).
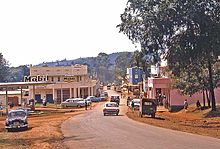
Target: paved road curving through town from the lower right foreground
(92,130)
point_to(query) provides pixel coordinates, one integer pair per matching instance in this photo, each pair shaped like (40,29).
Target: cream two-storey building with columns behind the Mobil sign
(68,82)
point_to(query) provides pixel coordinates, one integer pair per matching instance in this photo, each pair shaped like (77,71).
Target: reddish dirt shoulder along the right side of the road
(194,121)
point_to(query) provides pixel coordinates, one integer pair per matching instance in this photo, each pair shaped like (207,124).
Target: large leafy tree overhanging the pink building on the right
(186,33)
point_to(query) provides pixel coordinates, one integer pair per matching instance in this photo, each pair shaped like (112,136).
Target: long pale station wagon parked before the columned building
(73,102)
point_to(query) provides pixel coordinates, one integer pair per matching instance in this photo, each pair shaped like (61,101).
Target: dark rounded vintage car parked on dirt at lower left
(17,119)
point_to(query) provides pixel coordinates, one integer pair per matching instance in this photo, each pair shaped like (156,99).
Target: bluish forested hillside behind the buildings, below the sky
(103,66)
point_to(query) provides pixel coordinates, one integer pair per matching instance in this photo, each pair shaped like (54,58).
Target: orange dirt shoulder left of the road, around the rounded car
(44,130)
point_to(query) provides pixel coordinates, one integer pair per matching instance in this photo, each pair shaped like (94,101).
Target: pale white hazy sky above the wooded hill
(32,32)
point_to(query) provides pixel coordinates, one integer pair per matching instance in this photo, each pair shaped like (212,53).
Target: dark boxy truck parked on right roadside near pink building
(148,107)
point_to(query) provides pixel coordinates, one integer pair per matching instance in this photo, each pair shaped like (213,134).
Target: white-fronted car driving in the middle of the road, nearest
(111,108)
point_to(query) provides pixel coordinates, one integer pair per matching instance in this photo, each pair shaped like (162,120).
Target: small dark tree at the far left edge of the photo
(3,68)
